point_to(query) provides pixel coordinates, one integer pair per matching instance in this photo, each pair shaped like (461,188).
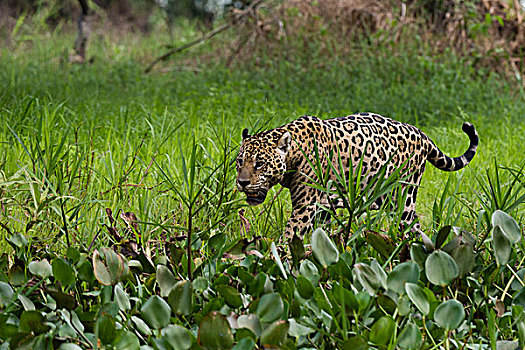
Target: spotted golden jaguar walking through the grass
(280,156)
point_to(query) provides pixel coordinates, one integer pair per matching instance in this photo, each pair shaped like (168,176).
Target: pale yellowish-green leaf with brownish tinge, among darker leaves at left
(109,267)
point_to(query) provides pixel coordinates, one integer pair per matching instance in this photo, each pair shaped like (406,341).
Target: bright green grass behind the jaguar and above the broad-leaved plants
(101,135)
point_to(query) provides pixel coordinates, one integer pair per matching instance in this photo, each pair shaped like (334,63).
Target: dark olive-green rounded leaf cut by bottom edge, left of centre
(215,332)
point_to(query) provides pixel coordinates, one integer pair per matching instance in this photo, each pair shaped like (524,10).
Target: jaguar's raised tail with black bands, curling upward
(446,163)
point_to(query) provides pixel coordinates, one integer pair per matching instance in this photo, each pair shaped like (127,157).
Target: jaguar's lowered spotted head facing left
(261,163)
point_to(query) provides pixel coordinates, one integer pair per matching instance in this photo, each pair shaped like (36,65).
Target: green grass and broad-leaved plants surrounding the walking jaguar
(101,155)
